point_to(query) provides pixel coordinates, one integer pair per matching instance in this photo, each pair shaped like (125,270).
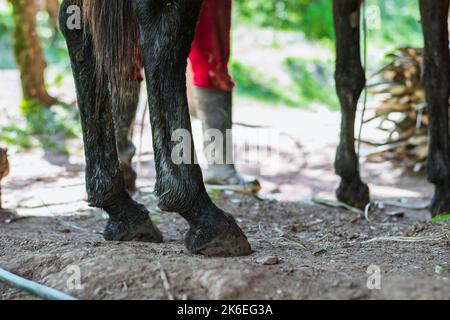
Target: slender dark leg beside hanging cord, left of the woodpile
(350,81)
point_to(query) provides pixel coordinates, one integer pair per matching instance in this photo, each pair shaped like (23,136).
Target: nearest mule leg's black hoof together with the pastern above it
(218,236)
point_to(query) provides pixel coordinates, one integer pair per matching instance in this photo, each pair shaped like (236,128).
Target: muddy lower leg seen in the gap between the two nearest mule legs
(124,115)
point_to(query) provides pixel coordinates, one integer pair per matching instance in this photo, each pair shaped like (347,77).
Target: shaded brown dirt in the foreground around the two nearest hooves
(315,252)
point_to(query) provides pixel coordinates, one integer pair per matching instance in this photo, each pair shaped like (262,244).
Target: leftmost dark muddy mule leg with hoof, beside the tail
(104,179)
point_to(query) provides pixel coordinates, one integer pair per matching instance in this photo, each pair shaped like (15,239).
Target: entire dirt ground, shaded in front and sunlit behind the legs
(313,252)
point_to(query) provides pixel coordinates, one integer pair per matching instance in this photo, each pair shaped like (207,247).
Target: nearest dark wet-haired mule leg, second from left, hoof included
(167,30)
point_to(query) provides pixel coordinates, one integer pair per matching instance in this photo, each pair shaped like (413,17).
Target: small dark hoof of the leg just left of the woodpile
(354,193)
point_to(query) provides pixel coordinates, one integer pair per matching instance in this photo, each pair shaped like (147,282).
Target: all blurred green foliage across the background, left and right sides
(312,79)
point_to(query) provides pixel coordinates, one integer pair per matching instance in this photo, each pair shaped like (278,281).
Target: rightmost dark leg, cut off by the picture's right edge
(437,86)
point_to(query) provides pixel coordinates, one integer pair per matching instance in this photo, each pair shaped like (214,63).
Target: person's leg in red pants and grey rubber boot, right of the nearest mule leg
(213,86)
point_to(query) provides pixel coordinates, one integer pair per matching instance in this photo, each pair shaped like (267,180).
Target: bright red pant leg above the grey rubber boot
(210,52)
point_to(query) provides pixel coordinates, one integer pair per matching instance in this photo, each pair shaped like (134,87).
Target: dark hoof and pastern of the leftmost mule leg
(131,221)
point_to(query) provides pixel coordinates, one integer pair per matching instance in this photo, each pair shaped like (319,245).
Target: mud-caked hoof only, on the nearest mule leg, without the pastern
(230,241)
